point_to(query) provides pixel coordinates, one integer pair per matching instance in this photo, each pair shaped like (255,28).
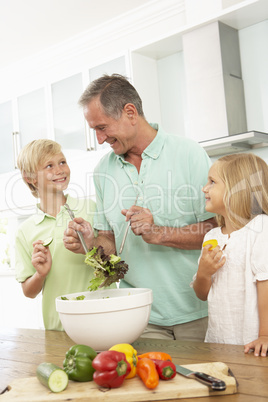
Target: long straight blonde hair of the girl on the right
(246,187)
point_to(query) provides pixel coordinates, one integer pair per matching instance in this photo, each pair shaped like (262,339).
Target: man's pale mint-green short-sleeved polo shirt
(173,171)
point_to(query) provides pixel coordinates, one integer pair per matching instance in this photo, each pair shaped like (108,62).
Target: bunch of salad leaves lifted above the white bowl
(107,268)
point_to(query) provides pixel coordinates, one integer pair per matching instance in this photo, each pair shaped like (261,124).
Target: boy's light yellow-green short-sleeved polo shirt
(69,273)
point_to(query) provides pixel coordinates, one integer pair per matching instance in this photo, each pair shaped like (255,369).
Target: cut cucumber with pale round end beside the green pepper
(52,376)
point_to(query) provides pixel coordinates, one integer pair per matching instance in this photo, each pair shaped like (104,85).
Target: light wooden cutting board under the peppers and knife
(30,389)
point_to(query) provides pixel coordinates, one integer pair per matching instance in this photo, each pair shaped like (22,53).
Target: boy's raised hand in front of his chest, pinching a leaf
(41,258)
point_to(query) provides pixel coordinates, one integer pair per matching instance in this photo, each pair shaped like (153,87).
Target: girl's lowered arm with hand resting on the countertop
(260,345)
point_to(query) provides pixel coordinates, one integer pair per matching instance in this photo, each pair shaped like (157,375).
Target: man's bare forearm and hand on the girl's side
(187,238)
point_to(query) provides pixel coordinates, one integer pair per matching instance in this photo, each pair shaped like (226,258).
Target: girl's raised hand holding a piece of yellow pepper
(210,261)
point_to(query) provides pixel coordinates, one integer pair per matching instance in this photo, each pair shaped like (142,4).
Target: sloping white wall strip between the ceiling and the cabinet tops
(99,45)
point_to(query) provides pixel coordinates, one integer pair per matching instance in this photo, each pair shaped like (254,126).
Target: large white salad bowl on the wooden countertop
(105,317)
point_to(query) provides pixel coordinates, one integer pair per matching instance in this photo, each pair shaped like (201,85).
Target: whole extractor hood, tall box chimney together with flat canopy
(215,91)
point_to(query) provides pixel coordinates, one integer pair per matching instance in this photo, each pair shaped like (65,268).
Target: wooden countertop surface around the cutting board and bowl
(22,350)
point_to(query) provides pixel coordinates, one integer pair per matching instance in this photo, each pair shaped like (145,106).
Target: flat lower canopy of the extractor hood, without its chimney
(235,143)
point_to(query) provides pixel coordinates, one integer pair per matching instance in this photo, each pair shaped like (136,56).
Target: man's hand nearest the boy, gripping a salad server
(71,240)
